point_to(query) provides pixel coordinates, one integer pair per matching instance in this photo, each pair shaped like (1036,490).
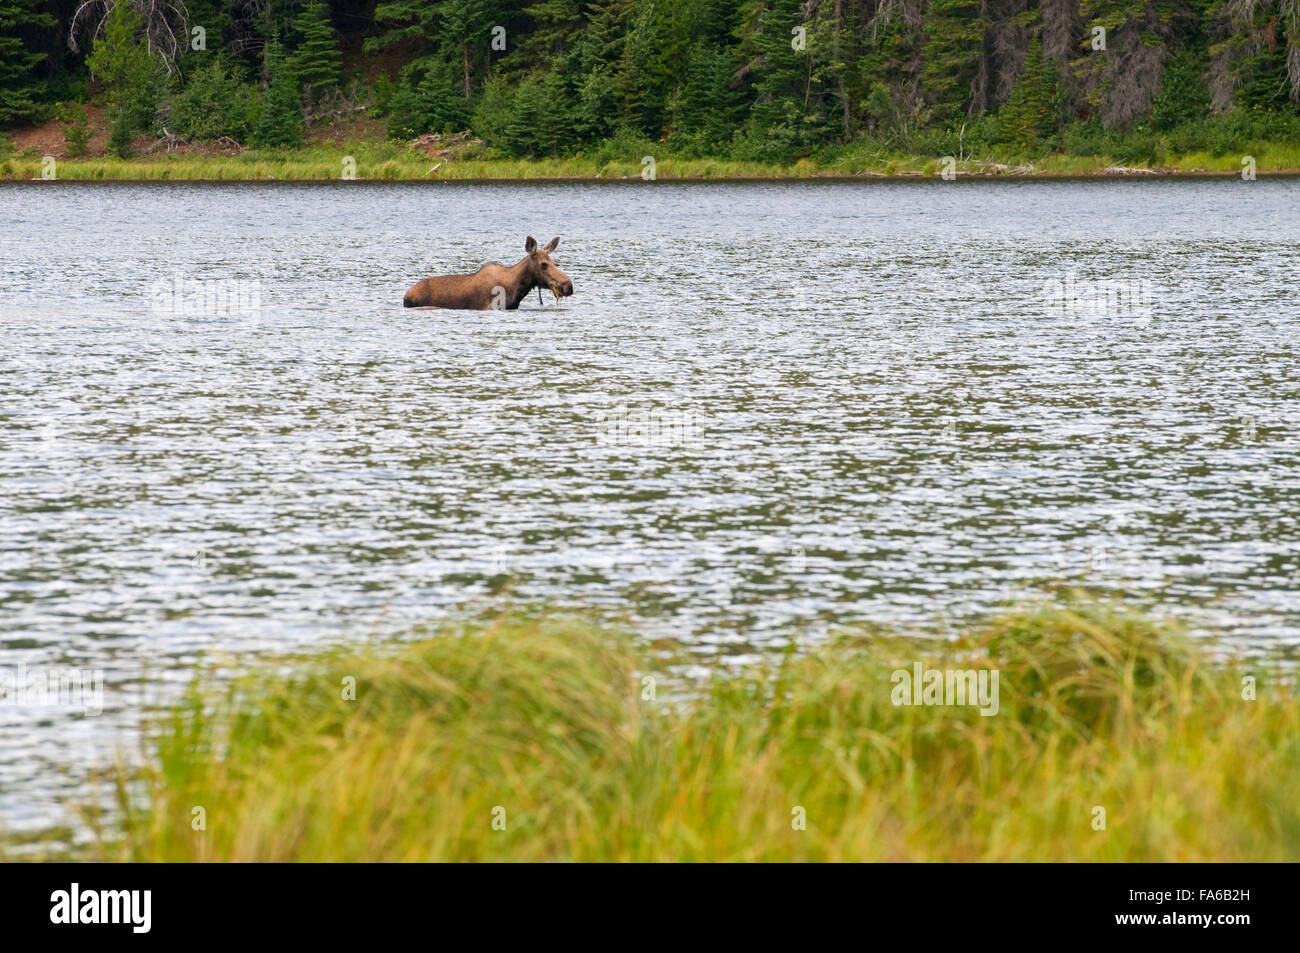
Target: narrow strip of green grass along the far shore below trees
(380,161)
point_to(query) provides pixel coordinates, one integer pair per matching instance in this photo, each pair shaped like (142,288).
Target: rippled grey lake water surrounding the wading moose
(768,409)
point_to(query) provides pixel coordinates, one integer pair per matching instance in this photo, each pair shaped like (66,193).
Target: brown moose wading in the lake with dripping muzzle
(493,285)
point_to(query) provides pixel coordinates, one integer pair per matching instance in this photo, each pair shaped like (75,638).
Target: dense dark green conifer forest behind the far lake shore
(751,80)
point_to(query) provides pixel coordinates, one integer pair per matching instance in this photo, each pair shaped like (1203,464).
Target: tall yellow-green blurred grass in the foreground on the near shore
(548,726)
